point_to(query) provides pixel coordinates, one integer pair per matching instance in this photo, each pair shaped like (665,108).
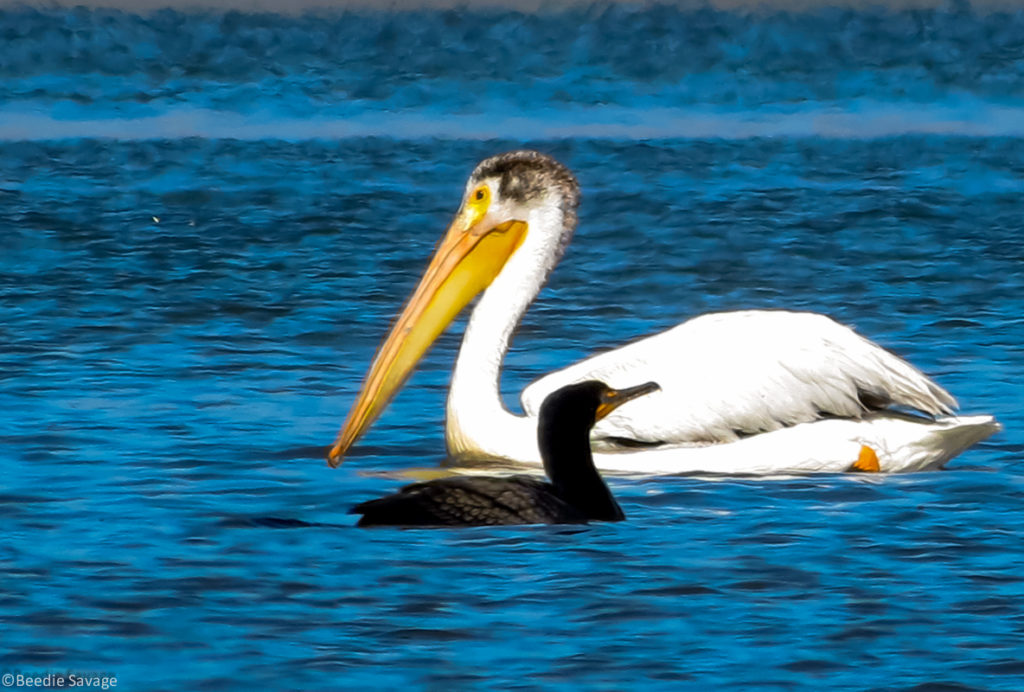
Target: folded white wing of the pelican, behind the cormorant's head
(729,375)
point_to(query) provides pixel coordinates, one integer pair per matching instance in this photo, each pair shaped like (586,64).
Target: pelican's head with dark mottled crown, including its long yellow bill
(513,201)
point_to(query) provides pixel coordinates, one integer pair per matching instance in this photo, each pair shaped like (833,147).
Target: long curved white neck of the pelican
(479,425)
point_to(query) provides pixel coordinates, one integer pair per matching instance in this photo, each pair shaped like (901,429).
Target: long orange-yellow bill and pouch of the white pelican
(474,251)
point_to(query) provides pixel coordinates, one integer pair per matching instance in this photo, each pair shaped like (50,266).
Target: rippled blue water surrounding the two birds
(200,251)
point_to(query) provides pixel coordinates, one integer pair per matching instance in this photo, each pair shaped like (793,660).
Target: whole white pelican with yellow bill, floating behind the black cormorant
(758,392)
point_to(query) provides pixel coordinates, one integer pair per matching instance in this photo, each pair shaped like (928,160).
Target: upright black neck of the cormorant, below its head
(570,465)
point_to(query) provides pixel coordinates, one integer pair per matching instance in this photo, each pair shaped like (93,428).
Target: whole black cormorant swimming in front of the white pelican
(576,495)
